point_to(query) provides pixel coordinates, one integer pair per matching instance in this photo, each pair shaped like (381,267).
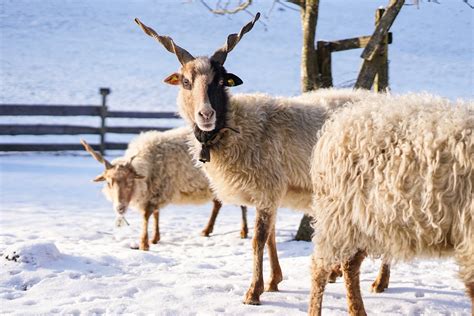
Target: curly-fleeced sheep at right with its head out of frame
(393,175)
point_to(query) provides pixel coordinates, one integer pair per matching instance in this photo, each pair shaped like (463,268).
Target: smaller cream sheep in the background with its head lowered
(157,170)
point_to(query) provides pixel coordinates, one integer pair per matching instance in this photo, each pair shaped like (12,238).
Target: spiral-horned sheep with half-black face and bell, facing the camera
(255,148)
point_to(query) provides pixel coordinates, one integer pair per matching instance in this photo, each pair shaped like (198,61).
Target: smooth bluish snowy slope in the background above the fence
(63,52)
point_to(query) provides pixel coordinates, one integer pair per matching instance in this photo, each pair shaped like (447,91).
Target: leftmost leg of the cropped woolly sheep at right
(319,277)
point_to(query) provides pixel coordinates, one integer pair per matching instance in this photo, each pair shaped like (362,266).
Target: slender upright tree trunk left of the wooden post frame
(309,64)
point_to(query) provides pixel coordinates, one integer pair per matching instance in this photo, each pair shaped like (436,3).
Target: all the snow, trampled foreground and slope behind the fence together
(60,250)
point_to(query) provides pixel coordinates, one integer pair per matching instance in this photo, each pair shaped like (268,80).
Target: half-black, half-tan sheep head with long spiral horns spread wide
(203,81)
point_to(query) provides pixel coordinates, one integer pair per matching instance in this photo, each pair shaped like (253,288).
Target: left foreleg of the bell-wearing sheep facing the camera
(263,222)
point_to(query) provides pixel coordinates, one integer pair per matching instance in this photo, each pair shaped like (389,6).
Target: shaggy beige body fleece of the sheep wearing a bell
(267,163)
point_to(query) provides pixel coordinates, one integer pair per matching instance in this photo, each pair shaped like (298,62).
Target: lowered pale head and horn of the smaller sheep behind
(120,180)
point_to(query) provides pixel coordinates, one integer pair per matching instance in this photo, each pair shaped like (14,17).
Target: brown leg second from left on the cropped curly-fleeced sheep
(351,269)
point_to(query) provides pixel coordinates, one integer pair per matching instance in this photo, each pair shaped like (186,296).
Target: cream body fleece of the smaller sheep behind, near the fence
(170,175)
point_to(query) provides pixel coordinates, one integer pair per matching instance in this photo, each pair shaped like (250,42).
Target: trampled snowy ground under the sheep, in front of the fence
(71,260)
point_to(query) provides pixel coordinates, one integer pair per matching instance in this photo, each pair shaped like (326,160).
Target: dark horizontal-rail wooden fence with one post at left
(100,111)
